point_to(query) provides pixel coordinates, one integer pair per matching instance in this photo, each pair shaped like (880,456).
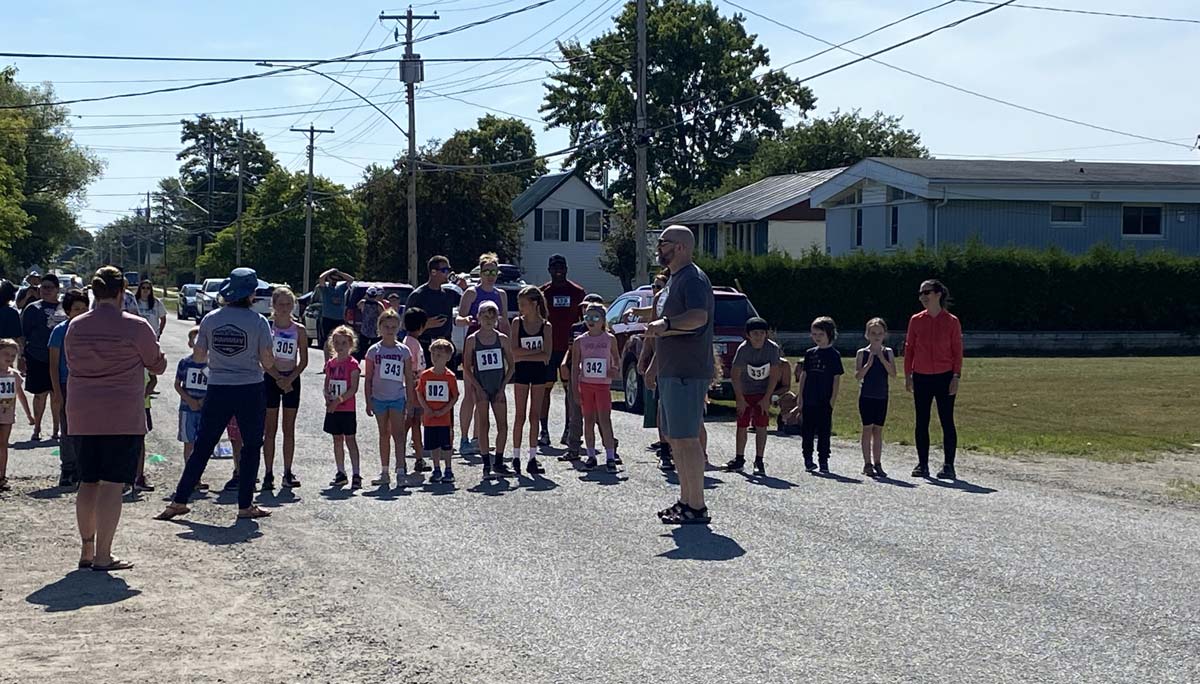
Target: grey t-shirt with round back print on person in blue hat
(236,339)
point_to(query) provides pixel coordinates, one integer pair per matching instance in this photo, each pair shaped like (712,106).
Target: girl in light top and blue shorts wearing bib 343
(389,389)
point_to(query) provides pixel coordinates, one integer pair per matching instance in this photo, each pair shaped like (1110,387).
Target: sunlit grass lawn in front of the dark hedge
(1119,410)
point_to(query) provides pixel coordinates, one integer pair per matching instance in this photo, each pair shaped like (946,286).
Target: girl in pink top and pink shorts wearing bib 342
(596,365)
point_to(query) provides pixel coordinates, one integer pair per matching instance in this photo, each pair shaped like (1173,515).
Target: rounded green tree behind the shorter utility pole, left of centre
(274,230)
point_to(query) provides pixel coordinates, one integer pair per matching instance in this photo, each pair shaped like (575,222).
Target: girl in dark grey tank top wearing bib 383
(487,369)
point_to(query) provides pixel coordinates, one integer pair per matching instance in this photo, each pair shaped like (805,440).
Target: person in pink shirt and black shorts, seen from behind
(109,352)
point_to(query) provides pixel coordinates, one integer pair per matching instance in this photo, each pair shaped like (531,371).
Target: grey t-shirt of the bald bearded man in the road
(688,356)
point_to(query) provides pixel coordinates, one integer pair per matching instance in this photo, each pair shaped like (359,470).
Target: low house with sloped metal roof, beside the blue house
(770,215)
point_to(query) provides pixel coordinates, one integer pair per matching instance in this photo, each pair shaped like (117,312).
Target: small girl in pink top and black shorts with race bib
(341,417)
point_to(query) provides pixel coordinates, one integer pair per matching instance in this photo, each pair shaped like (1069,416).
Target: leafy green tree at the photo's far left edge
(57,171)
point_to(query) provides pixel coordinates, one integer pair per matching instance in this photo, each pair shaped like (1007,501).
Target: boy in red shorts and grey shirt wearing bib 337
(755,375)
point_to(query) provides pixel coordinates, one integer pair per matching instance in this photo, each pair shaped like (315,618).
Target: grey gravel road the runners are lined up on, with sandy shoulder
(571,578)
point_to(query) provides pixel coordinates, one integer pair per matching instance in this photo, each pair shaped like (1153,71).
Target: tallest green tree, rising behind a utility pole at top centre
(701,92)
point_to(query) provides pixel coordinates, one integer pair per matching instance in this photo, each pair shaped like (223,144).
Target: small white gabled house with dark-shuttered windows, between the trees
(563,214)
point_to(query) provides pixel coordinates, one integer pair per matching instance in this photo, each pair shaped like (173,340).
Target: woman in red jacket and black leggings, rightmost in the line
(933,365)
